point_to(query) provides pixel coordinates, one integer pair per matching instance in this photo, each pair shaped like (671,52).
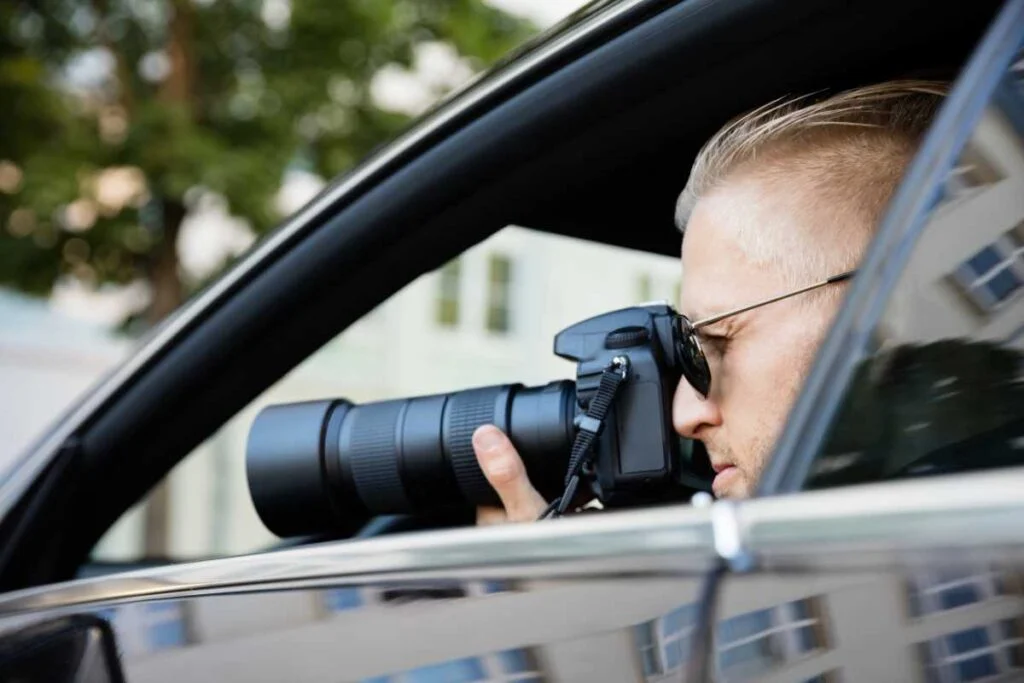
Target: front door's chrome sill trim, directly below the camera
(671,540)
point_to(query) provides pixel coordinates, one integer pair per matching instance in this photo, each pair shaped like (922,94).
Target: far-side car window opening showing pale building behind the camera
(488,317)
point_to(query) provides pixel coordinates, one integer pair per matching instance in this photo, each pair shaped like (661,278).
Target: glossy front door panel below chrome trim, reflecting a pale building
(534,630)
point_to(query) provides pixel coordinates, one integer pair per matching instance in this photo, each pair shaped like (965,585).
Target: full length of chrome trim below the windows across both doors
(841,529)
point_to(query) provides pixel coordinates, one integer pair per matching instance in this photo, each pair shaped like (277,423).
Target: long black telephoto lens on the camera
(314,465)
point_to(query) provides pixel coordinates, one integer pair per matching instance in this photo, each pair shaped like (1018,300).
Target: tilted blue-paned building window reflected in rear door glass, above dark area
(996,273)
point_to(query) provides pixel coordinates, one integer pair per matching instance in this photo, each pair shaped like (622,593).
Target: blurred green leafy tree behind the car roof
(120,114)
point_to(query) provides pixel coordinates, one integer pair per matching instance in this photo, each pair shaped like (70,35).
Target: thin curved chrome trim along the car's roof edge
(22,475)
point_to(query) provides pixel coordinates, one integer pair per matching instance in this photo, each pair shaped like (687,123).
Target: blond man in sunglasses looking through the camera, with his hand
(784,197)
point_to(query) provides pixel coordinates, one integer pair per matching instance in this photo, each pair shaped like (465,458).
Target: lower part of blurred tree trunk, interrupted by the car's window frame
(165,284)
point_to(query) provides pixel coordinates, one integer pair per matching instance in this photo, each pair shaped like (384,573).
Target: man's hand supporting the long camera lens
(504,469)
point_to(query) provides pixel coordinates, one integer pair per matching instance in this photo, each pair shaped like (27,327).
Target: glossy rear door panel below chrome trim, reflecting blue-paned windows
(941,620)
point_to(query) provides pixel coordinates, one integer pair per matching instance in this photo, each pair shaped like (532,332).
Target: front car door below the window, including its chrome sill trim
(587,600)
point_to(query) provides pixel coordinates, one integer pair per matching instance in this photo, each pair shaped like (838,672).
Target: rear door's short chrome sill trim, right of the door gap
(957,515)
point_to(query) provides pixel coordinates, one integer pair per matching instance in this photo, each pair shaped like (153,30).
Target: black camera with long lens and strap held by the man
(314,465)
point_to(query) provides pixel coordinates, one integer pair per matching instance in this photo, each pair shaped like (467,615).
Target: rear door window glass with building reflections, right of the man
(942,390)
